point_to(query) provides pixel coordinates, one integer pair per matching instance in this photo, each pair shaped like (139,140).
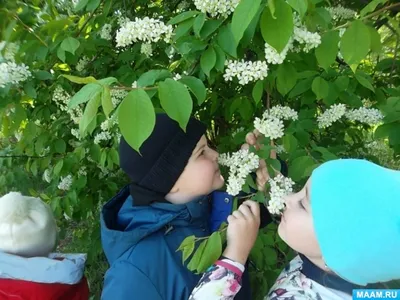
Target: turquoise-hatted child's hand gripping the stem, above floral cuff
(242,231)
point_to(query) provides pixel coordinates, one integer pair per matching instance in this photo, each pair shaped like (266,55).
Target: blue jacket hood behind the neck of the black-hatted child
(123,224)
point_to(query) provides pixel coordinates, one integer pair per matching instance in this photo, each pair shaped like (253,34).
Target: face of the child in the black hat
(200,177)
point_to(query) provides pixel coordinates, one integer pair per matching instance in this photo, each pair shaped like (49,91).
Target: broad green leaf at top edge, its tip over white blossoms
(277,31)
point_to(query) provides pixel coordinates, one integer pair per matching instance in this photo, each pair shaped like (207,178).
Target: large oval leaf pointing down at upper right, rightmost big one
(357,34)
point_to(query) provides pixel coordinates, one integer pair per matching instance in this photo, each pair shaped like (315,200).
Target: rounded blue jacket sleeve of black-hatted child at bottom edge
(125,281)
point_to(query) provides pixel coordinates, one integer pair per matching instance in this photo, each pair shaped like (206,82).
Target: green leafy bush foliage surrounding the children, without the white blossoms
(53,36)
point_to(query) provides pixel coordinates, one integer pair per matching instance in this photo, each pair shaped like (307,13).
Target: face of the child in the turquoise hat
(296,227)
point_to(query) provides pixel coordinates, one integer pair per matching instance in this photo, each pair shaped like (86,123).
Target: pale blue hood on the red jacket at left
(57,268)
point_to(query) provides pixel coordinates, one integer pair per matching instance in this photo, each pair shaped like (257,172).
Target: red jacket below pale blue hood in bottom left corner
(24,290)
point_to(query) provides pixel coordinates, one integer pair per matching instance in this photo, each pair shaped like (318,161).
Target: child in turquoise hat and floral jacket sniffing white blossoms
(345,225)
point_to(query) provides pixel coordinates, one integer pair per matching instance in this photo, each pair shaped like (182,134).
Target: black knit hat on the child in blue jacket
(164,157)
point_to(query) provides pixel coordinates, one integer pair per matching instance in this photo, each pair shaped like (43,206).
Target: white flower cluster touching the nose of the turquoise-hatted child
(280,187)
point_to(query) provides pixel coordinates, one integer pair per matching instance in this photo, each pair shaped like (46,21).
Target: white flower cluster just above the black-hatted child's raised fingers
(271,124)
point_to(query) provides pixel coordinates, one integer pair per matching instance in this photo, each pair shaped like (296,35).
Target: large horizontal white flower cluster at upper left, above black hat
(147,30)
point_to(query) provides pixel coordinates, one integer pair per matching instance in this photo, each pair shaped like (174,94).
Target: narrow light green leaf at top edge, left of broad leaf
(242,17)
